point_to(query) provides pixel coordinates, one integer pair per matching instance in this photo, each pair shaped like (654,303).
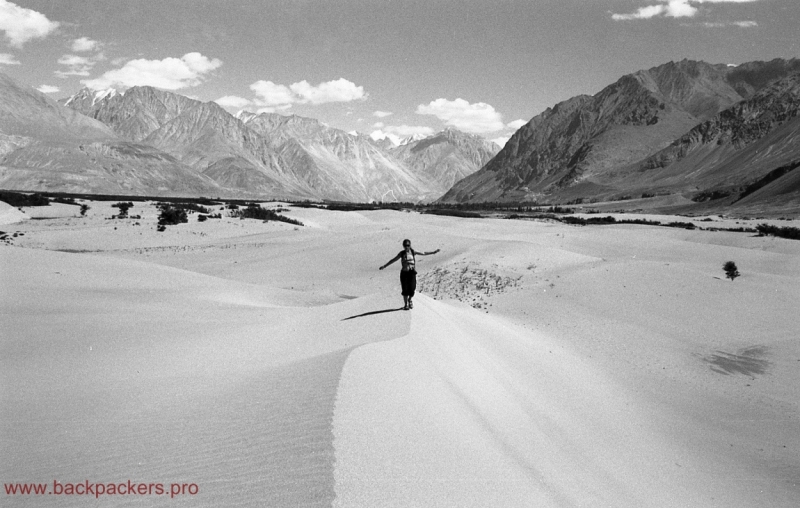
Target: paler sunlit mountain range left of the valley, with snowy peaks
(199,147)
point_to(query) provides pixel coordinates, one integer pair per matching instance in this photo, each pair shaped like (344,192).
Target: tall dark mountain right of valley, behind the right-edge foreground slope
(573,148)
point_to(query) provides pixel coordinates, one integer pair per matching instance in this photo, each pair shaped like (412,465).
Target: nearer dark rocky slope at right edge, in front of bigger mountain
(731,152)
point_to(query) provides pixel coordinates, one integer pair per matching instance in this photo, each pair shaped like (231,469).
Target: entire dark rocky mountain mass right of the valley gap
(683,127)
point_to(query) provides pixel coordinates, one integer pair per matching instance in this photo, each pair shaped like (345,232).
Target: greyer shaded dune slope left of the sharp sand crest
(216,386)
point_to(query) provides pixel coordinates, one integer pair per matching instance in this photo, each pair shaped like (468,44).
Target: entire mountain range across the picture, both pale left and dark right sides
(719,135)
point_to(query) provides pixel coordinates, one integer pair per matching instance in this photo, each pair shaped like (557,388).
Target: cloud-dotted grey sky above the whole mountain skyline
(390,68)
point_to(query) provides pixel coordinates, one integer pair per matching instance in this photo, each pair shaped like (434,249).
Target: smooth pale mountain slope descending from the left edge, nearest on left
(44,145)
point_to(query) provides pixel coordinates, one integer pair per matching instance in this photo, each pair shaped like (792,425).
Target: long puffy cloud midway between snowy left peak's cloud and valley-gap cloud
(275,96)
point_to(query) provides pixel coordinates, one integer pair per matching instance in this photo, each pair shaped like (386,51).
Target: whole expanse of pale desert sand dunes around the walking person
(270,364)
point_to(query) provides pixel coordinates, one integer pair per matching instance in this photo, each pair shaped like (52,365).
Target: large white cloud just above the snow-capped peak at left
(169,74)
